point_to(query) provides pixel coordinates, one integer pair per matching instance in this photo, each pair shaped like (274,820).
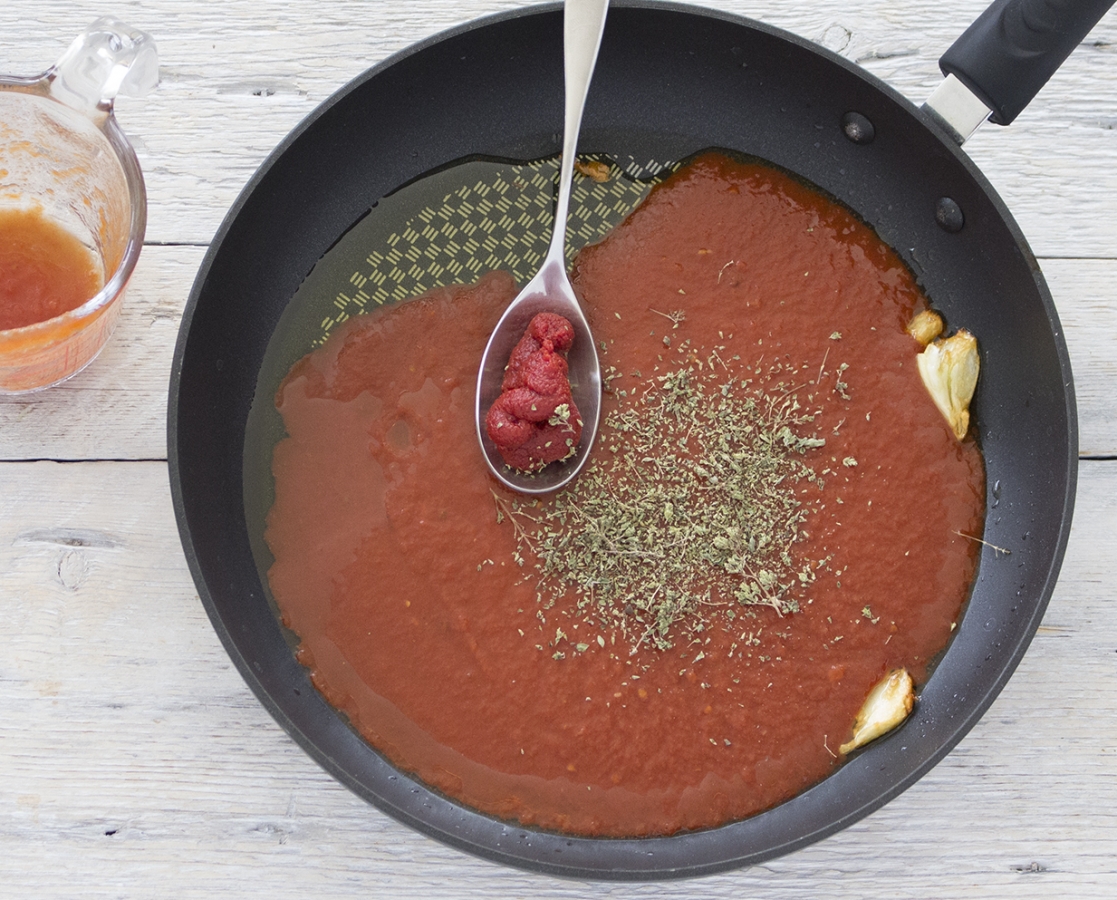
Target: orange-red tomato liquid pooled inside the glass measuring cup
(44,270)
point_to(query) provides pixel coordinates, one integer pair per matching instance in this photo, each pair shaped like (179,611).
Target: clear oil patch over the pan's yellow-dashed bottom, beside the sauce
(448,227)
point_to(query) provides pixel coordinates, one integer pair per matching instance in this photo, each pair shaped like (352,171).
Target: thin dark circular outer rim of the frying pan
(635,849)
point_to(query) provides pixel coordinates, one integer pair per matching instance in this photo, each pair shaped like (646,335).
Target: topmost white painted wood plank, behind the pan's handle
(240,75)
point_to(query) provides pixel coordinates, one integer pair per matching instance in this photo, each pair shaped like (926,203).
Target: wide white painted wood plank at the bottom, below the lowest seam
(136,763)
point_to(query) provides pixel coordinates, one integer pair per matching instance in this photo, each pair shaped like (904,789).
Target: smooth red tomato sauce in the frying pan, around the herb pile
(402,579)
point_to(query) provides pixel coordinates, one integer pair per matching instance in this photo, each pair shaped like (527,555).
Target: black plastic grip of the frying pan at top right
(1016,46)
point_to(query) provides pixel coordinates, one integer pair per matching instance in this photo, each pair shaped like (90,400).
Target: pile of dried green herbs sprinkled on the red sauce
(690,510)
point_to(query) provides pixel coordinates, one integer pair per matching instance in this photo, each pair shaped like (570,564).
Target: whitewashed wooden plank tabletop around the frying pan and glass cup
(135,762)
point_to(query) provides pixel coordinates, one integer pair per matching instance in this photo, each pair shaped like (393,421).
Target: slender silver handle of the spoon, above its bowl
(584,23)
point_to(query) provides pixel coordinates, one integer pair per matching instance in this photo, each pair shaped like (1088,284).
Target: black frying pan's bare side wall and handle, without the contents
(671,81)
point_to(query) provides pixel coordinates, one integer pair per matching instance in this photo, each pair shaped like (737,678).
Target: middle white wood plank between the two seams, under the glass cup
(117,409)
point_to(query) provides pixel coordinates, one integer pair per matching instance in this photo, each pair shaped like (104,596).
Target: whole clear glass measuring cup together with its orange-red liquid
(73,206)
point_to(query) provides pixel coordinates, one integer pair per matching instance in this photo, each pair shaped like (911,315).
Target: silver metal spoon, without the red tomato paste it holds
(550,291)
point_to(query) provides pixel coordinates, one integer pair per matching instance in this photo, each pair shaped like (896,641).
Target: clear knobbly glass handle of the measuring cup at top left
(107,60)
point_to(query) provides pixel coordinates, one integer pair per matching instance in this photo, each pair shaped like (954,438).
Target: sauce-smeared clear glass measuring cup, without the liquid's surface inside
(64,156)
